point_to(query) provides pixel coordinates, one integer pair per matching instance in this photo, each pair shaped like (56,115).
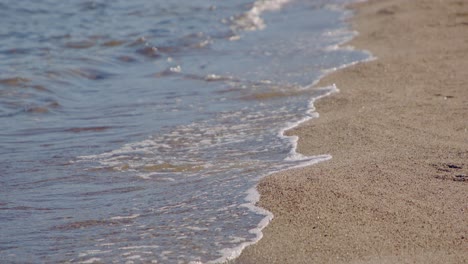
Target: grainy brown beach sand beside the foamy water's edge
(396,190)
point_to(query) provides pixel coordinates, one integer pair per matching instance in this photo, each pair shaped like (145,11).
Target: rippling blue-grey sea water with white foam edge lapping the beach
(136,131)
